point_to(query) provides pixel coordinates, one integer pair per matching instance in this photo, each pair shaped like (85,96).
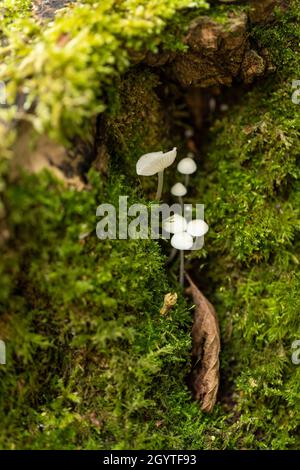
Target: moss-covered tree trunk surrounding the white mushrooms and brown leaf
(90,361)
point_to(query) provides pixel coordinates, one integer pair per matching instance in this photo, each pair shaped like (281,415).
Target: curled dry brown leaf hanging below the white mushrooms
(206,349)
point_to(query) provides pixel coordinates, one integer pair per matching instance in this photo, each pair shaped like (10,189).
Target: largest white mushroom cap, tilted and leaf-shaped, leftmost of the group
(154,162)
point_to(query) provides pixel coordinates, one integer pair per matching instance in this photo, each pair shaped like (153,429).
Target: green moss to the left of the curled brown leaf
(89,356)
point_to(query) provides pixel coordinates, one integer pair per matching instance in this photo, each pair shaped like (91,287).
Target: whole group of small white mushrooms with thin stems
(183,232)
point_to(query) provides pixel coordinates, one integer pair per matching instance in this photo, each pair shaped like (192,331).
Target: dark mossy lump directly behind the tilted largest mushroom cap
(137,122)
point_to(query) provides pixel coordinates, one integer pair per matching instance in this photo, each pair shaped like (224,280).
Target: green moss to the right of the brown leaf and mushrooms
(250,186)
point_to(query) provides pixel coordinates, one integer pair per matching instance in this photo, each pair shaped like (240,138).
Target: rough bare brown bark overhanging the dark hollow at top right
(218,53)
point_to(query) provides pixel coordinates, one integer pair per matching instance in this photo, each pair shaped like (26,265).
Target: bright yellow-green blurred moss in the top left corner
(65,68)
